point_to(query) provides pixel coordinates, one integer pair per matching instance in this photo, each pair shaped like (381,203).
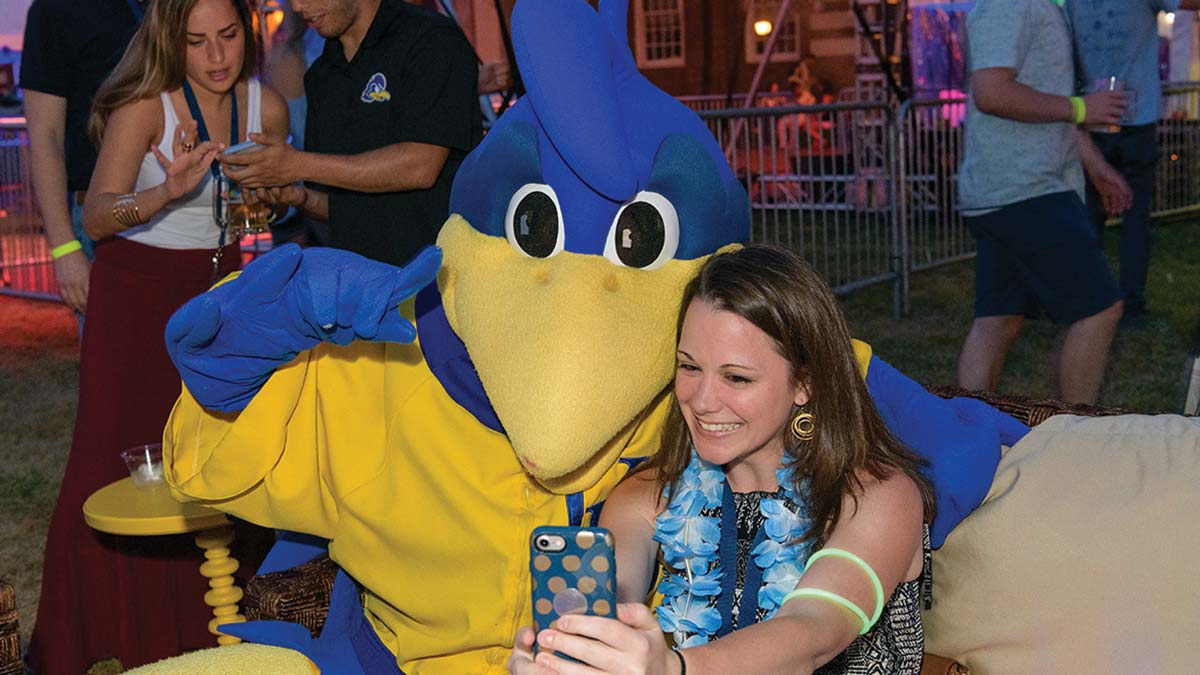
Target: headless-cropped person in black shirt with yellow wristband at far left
(70,49)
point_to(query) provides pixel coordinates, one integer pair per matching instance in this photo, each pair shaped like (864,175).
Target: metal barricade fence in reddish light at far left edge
(26,266)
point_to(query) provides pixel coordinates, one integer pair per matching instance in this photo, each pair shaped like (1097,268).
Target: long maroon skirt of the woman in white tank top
(135,599)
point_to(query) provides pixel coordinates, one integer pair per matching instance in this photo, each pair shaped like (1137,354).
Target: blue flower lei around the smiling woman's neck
(689,535)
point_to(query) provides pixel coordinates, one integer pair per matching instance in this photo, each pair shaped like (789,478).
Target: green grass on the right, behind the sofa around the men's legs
(1147,367)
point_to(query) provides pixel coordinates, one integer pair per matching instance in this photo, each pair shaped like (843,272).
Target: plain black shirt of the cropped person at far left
(70,49)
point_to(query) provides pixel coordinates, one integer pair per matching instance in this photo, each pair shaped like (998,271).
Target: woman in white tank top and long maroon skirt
(151,207)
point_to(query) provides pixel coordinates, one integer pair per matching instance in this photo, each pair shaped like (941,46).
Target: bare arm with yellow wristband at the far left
(47,117)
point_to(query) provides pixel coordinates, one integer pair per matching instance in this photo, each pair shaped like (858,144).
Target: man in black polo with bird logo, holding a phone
(392,114)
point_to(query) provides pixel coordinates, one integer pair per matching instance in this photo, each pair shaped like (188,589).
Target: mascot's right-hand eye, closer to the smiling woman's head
(645,235)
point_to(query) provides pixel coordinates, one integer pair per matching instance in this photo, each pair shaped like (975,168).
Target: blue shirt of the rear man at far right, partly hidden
(1120,39)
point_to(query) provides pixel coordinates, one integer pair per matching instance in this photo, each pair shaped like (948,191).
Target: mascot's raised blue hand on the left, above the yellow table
(229,342)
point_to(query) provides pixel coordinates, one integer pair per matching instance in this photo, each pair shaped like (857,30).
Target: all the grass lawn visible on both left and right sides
(39,375)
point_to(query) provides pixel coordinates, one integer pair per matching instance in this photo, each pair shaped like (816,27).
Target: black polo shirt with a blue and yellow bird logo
(413,80)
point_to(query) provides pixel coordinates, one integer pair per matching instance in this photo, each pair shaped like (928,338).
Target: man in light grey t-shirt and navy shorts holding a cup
(1022,190)
